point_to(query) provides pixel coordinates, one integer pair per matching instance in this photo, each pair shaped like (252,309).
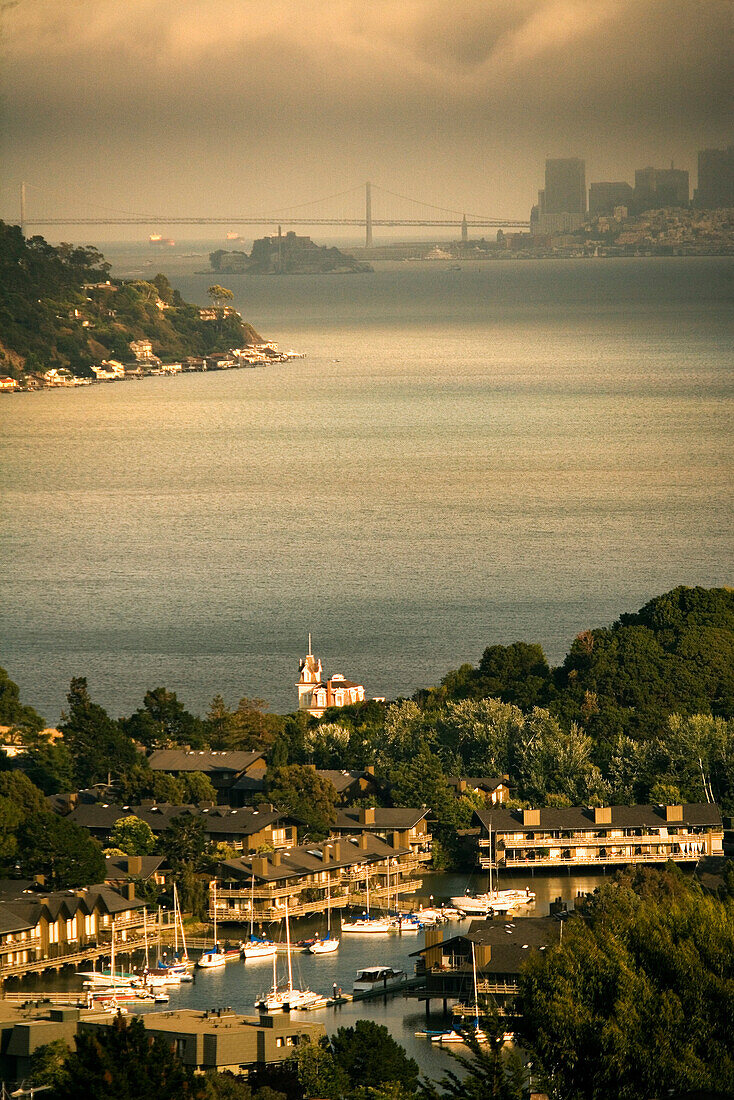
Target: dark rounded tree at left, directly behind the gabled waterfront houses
(61,851)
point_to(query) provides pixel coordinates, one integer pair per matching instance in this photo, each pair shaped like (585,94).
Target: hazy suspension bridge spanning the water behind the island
(302,216)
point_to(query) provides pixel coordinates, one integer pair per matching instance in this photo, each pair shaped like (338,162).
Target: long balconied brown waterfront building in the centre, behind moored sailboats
(336,873)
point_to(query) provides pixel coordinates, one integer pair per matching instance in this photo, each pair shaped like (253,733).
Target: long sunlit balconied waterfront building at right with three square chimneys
(598,837)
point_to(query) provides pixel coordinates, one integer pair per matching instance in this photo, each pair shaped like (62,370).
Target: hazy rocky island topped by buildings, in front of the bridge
(288,255)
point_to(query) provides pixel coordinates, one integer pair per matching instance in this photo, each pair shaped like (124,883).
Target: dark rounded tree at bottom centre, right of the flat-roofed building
(371,1058)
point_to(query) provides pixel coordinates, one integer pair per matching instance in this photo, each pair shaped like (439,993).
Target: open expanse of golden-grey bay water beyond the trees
(509,452)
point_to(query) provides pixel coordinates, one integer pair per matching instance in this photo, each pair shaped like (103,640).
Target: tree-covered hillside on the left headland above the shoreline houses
(59,309)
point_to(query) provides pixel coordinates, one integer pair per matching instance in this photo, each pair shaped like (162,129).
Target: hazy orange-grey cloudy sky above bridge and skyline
(218,107)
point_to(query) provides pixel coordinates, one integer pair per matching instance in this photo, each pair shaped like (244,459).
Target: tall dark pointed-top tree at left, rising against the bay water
(96,743)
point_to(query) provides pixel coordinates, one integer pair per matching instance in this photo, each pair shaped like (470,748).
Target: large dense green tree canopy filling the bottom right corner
(639,998)
